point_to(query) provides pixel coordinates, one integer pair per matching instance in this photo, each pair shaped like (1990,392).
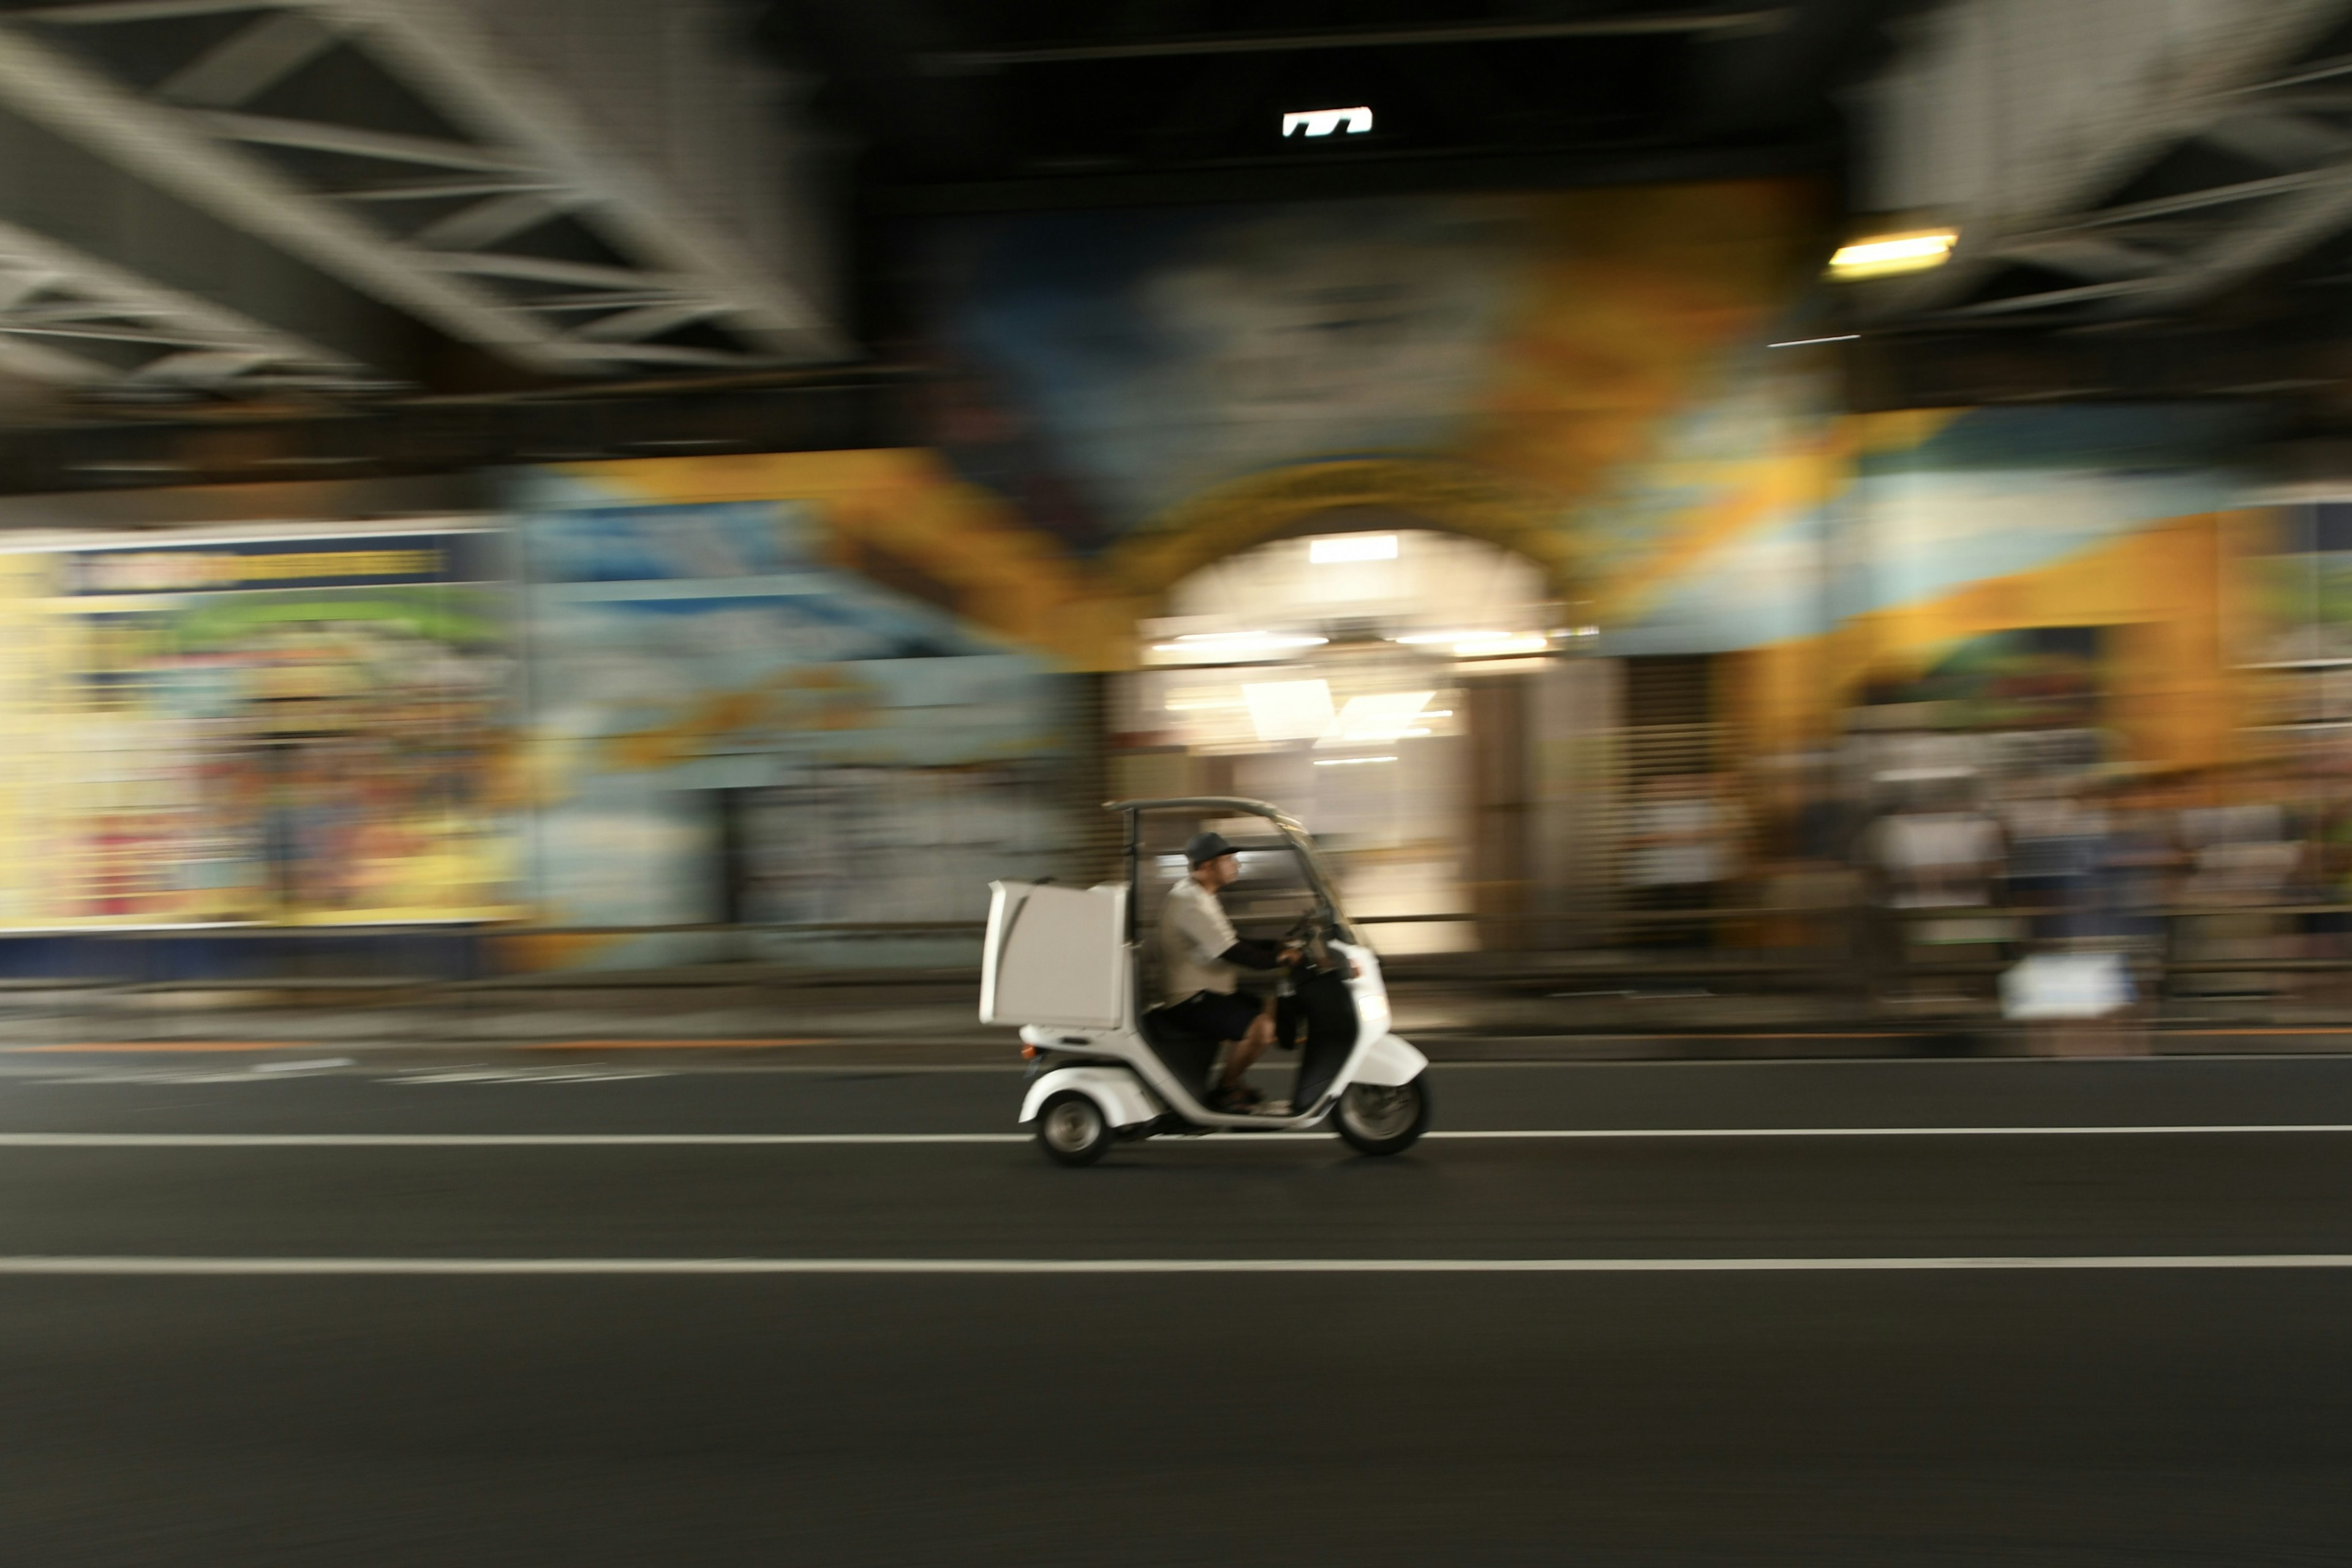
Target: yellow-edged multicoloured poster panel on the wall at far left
(279,730)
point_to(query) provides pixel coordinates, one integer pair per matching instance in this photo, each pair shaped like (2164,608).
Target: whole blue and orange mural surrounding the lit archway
(1123,398)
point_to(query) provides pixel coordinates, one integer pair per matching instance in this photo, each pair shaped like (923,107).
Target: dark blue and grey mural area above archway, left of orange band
(1121,361)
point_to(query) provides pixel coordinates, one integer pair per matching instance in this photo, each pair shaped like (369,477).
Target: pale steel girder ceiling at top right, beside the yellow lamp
(2151,203)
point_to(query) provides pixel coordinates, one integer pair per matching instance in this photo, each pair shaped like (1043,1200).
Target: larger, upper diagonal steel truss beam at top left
(342,187)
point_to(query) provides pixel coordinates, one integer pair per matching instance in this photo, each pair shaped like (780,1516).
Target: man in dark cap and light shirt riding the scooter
(1201,960)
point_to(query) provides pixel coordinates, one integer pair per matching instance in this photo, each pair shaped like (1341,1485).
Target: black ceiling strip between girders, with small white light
(1045,102)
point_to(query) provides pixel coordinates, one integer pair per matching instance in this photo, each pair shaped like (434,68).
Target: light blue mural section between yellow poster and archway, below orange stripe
(730,730)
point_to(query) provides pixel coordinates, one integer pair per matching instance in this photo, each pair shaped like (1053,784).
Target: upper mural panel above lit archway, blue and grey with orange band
(1161,389)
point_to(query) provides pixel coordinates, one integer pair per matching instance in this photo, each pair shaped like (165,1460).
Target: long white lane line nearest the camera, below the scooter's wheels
(1161,1266)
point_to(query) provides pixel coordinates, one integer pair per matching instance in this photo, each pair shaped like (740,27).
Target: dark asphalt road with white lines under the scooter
(1290,1355)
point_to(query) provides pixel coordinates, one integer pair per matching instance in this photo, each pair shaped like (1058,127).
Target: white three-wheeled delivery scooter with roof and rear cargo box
(1076,972)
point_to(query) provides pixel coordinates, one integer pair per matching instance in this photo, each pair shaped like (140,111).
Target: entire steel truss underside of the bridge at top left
(227,196)
